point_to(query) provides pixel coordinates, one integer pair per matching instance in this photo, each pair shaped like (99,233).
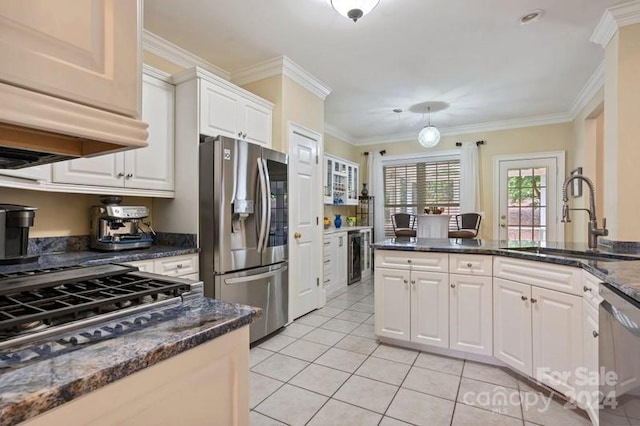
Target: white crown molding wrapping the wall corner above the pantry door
(281,66)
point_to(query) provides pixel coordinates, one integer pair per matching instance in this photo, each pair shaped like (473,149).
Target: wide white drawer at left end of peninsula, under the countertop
(417,261)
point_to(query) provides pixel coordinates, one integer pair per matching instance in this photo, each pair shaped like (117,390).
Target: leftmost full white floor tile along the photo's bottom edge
(292,405)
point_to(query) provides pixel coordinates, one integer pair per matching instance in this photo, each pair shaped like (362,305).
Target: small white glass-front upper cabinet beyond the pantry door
(341,178)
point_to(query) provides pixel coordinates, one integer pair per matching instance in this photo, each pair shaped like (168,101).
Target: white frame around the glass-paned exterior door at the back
(560,173)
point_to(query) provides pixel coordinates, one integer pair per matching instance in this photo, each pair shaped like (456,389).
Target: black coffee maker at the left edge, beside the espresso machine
(15,221)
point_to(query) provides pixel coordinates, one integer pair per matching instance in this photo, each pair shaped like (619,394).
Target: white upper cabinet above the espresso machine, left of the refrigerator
(149,168)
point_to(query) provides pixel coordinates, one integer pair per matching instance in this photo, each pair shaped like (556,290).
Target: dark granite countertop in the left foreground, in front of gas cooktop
(35,387)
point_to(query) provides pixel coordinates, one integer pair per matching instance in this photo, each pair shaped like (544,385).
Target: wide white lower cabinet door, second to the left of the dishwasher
(557,338)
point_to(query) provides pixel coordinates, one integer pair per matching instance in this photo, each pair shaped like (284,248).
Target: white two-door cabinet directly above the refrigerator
(229,111)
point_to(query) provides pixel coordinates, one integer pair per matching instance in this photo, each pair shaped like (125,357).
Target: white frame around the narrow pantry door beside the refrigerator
(318,206)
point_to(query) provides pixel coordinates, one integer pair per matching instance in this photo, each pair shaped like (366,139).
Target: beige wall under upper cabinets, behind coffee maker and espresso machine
(60,214)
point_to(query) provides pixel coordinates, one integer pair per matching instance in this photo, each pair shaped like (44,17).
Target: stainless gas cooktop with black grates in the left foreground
(83,304)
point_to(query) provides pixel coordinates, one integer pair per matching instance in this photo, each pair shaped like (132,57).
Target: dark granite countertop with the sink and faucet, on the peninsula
(622,275)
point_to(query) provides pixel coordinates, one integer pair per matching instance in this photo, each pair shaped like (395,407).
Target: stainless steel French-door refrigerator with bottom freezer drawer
(244,228)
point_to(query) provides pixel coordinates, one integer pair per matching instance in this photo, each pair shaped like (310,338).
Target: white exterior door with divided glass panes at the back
(527,199)
